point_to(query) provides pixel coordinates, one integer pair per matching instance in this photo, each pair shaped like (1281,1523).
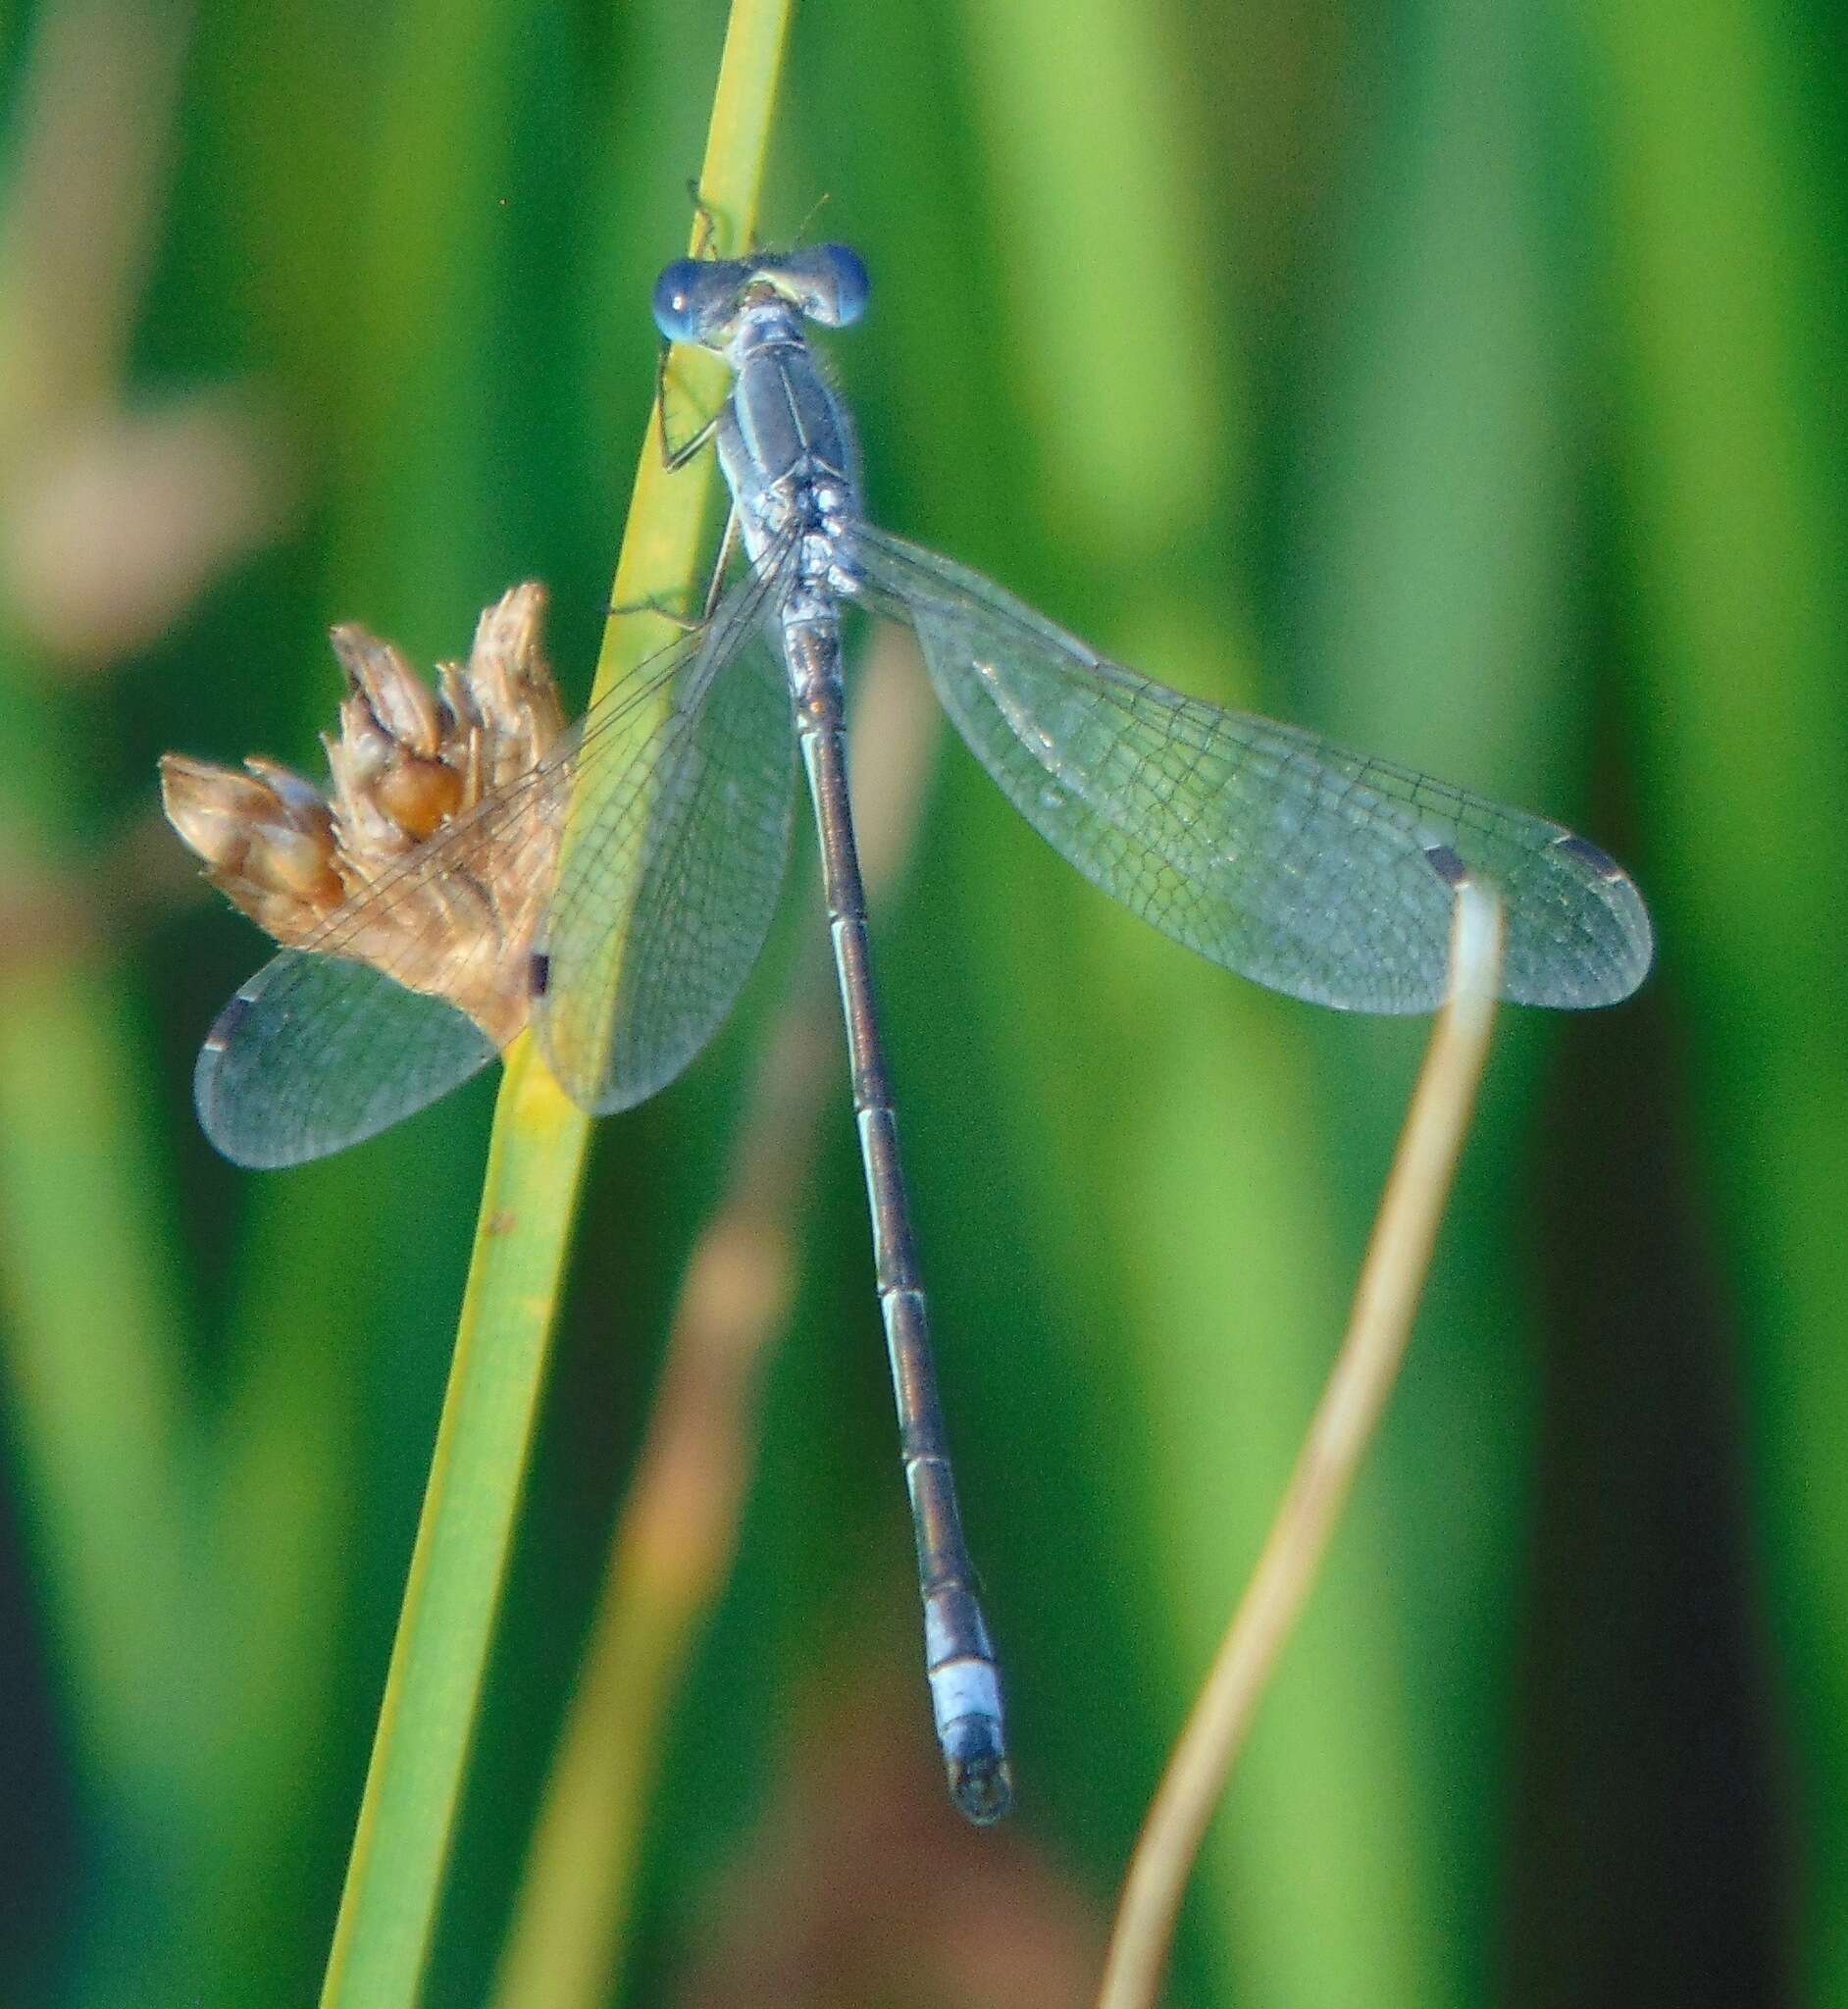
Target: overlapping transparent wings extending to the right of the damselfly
(1260,847)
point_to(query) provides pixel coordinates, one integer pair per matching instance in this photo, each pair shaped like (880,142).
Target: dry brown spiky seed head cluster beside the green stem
(409,770)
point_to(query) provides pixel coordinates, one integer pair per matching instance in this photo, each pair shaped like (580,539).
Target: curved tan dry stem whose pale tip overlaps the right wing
(1363,1377)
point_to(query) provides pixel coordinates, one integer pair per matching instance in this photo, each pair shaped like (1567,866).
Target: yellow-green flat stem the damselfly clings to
(535,1160)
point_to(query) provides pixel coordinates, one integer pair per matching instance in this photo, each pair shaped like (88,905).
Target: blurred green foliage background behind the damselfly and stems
(1463,381)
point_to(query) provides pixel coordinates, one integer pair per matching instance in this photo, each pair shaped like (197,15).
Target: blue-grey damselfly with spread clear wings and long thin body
(1264,849)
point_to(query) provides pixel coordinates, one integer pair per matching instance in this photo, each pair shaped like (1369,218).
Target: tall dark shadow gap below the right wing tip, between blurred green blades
(1652,1857)
